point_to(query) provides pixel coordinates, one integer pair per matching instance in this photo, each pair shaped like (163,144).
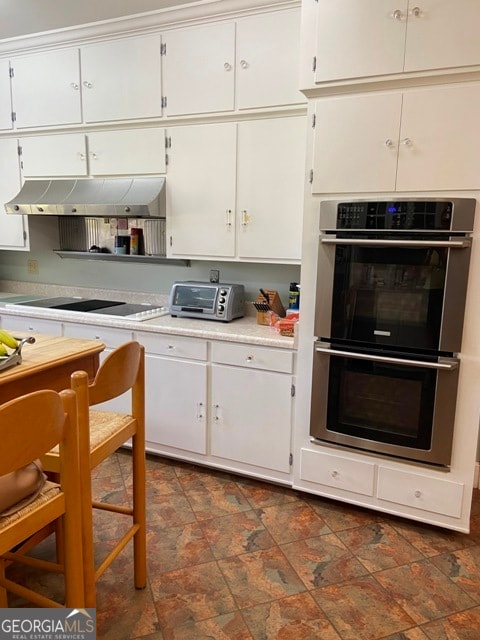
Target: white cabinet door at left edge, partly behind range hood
(12,227)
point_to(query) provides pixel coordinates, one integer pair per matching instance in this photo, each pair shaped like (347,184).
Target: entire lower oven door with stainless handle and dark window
(400,406)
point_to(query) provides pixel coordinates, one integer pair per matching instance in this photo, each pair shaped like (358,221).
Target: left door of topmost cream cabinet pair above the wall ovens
(358,39)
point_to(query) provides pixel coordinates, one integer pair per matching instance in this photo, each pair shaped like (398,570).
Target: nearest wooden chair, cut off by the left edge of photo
(29,427)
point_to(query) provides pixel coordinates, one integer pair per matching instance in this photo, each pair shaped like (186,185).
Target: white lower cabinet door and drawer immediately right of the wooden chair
(176,392)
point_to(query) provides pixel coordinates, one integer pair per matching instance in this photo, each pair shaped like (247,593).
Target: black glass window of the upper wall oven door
(389,295)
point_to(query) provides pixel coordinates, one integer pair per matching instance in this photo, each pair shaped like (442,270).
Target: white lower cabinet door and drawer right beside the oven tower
(251,406)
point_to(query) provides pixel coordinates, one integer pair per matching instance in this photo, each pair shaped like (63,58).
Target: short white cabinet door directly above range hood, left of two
(55,155)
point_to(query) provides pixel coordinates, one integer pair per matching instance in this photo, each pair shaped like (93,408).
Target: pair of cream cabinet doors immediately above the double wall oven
(410,141)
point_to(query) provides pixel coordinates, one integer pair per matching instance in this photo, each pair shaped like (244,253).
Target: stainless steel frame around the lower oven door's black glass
(442,423)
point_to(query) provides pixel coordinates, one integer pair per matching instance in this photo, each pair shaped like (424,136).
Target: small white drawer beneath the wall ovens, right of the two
(419,491)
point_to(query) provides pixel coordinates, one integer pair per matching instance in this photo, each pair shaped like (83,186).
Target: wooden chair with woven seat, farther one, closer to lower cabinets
(101,433)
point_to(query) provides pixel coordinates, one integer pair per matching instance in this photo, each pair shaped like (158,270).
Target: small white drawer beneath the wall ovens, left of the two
(337,471)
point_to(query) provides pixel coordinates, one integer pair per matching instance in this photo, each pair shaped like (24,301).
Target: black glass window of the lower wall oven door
(381,402)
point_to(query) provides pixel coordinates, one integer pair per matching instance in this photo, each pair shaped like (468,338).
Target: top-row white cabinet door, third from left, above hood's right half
(121,80)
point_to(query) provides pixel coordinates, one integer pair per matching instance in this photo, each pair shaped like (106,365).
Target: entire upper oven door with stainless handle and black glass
(402,290)
